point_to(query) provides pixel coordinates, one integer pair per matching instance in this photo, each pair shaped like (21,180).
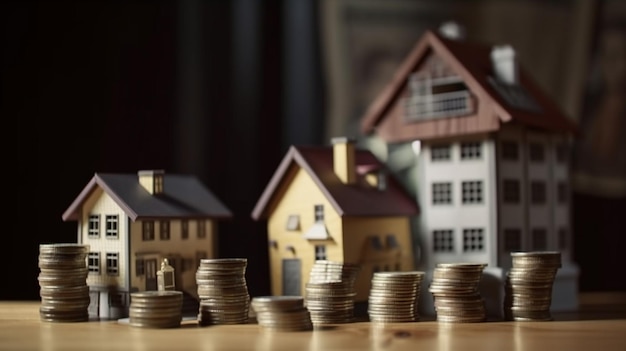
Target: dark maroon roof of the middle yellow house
(348,200)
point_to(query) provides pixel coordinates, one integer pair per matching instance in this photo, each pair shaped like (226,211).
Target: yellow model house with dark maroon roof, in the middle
(334,203)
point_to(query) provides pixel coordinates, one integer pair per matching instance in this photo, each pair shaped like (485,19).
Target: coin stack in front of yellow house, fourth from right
(330,292)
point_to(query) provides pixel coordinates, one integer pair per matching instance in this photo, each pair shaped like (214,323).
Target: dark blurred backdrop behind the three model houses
(220,89)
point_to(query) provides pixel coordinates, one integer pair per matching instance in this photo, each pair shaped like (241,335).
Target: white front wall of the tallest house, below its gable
(457,216)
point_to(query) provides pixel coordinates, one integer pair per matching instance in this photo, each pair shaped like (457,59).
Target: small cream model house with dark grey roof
(132,222)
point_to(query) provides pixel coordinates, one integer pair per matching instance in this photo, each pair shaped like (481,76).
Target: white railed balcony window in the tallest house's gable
(437,97)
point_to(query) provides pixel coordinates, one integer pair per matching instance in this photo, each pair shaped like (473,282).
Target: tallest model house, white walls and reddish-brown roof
(492,166)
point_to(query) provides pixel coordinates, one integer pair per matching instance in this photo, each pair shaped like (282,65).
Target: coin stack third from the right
(394,297)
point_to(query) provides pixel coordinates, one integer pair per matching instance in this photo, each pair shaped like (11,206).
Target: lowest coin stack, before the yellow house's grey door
(282,313)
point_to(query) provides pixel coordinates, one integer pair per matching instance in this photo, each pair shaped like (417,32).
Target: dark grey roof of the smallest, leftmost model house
(183,196)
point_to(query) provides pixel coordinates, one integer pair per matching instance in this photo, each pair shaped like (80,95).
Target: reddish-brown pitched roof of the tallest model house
(472,62)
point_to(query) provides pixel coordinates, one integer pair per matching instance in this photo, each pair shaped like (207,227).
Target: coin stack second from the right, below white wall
(456,294)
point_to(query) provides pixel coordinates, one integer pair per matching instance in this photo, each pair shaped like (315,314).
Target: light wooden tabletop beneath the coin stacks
(599,324)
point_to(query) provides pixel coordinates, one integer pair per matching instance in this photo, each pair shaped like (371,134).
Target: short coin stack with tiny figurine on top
(156,309)
